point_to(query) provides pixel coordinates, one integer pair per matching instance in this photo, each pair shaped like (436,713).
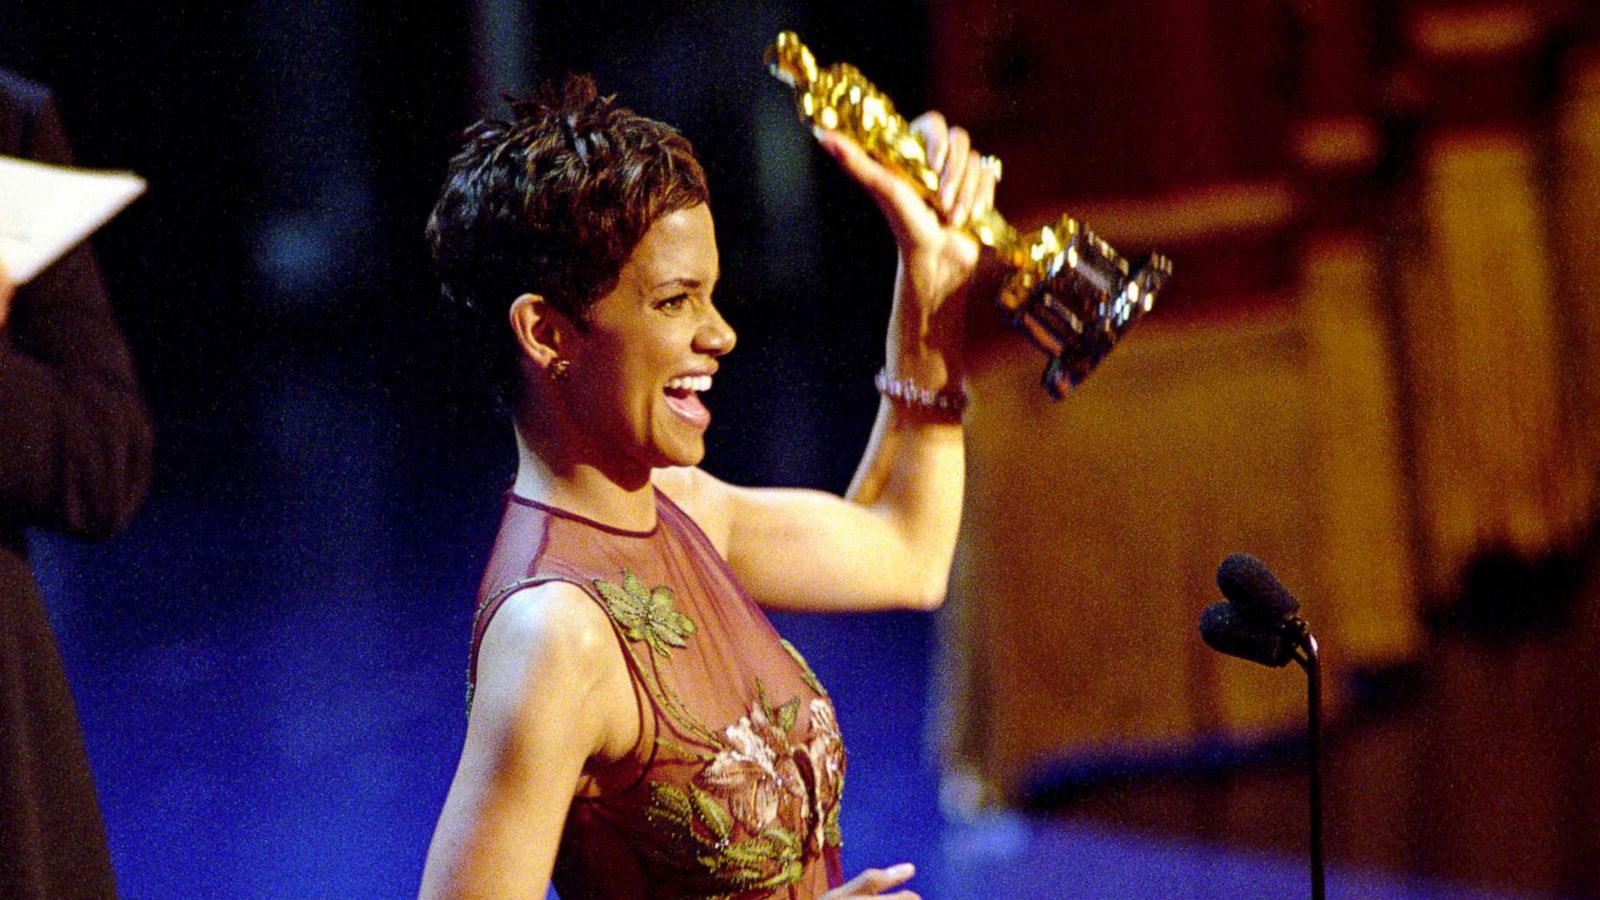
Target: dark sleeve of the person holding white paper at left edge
(74,433)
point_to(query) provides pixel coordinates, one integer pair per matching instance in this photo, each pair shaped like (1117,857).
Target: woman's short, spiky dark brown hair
(551,203)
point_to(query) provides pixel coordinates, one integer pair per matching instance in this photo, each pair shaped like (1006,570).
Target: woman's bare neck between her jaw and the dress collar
(559,480)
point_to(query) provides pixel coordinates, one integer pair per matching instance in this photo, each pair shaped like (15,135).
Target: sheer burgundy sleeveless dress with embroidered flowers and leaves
(735,785)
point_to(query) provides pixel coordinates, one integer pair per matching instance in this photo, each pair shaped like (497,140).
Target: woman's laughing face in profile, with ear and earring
(652,348)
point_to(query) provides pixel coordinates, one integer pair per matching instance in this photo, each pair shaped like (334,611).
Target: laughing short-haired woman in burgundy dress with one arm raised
(636,726)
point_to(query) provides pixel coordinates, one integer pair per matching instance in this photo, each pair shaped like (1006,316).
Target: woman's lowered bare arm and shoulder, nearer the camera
(553,694)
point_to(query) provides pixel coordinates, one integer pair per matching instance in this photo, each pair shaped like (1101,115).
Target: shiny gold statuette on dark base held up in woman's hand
(1070,292)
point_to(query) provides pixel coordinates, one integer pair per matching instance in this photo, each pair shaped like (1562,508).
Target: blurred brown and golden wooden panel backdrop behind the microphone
(1374,364)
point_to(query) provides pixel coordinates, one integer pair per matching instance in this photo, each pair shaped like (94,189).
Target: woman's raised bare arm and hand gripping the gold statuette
(889,544)
